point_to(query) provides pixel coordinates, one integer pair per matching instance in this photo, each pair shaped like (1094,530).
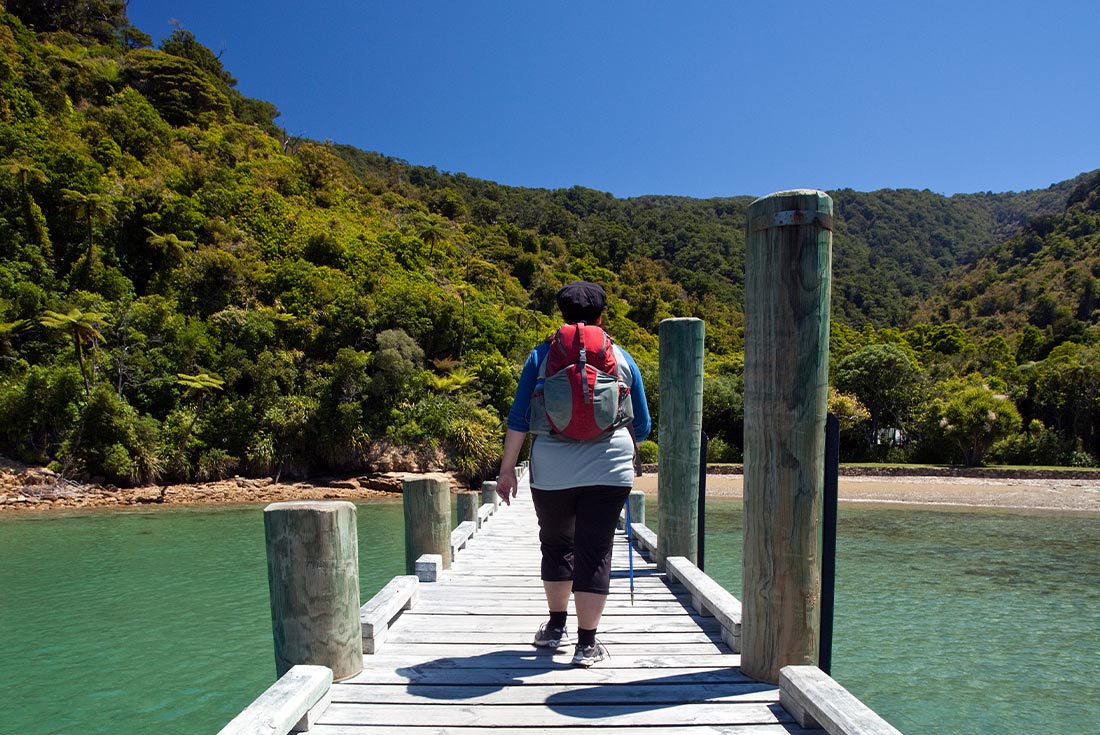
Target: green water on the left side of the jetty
(155,622)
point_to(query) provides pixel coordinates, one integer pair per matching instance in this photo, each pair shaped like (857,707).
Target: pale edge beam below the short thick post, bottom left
(284,705)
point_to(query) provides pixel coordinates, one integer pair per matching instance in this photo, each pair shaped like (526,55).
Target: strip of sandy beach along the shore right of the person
(1047,495)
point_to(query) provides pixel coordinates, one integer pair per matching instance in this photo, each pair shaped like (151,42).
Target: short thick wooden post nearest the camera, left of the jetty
(313,573)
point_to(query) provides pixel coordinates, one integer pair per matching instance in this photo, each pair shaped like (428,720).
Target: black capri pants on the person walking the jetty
(577,532)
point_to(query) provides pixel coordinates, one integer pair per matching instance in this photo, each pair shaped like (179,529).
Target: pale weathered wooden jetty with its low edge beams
(456,656)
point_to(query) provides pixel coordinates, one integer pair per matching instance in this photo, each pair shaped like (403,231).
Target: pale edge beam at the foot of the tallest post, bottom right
(816,699)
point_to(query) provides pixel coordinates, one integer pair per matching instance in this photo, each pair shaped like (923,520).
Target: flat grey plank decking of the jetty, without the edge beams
(461,661)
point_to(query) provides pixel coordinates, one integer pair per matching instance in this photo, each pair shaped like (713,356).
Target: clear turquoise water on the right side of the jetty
(959,623)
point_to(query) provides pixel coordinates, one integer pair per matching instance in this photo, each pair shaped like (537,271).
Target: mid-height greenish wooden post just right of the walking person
(680,382)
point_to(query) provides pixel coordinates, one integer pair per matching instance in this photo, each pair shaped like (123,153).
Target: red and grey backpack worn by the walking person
(580,393)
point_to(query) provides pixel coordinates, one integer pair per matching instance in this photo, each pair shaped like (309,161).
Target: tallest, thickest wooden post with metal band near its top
(788,271)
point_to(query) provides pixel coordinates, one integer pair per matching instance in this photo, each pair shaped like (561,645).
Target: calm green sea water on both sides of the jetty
(158,622)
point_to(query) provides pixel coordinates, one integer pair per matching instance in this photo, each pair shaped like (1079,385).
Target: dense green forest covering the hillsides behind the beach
(188,293)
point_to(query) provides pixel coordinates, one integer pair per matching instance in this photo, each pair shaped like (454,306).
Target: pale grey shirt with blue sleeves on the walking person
(559,464)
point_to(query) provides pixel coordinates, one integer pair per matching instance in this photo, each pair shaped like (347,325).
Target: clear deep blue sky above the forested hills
(680,97)
